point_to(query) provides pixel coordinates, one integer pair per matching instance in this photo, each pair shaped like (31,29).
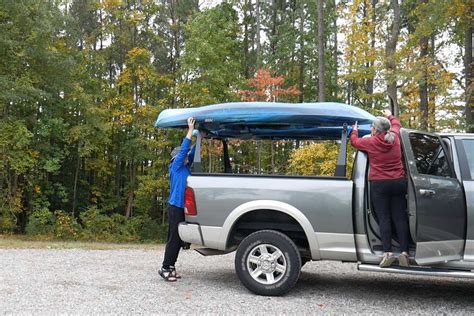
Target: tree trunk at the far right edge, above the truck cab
(468,63)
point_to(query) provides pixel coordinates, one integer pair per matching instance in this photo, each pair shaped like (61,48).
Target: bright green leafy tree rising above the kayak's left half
(211,65)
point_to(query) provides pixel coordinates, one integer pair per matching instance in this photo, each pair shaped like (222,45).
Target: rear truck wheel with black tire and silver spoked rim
(280,281)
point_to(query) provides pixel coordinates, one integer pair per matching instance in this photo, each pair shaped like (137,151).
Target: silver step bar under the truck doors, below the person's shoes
(417,271)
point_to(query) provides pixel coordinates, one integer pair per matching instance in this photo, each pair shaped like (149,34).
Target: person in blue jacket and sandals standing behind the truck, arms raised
(181,160)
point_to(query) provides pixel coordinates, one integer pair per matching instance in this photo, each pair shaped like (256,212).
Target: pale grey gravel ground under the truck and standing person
(126,282)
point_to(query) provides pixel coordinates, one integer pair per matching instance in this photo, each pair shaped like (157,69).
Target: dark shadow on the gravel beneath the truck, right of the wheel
(415,290)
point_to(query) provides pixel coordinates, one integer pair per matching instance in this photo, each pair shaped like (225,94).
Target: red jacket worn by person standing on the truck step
(385,159)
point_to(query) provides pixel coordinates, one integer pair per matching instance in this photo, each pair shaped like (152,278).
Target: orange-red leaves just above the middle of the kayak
(267,88)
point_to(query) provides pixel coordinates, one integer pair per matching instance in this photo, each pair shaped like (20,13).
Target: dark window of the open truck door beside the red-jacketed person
(430,156)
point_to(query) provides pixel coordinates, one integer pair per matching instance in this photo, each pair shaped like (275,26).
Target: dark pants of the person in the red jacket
(390,204)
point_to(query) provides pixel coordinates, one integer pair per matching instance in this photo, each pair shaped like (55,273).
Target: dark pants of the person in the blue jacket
(174,242)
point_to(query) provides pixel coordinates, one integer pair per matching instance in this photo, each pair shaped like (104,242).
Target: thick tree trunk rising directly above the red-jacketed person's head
(390,63)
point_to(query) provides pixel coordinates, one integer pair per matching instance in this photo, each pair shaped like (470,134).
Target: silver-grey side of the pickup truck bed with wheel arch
(321,208)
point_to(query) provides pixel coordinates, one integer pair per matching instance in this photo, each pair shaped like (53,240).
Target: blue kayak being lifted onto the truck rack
(266,120)
